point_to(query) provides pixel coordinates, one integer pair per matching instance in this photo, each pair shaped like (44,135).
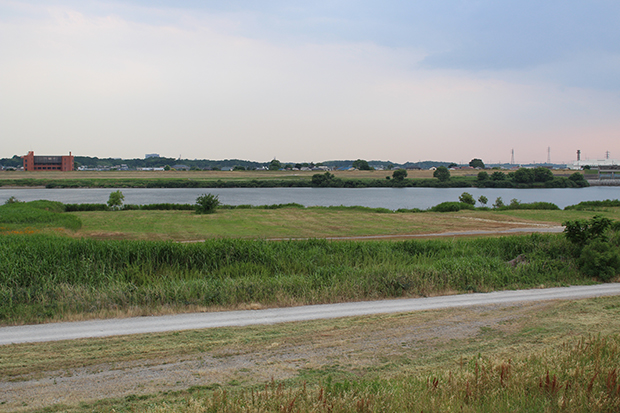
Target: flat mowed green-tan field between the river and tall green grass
(309,223)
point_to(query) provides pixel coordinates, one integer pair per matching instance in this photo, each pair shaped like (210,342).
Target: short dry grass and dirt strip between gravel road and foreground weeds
(382,346)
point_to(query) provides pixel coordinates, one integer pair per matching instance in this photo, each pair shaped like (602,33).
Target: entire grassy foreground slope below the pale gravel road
(557,356)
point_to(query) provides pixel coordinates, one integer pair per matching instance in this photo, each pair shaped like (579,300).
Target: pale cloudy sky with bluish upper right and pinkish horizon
(300,81)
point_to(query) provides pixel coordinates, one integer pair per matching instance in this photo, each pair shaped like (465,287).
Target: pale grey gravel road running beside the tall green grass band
(139,325)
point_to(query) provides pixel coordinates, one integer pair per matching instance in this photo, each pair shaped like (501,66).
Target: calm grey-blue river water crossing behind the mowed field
(391,198)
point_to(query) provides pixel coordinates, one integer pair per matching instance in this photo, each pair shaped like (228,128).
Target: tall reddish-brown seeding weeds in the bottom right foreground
(578,376)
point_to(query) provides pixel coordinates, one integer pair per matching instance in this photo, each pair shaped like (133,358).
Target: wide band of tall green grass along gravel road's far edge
(46,277)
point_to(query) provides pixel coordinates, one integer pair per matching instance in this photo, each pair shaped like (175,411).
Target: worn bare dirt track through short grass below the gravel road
(353,346)
